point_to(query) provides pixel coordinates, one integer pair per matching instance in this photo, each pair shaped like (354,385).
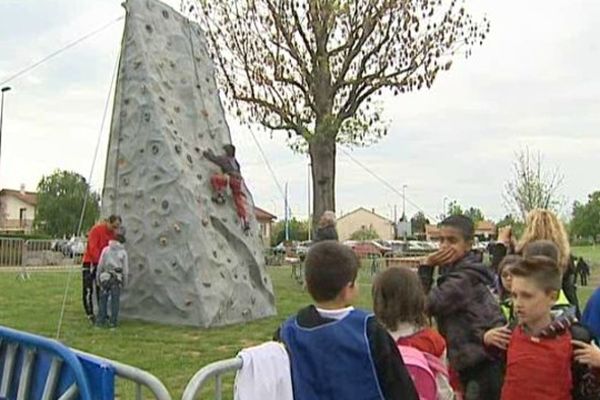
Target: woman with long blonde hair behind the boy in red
(541,225)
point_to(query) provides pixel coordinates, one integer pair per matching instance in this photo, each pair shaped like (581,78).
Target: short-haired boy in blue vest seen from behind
(336,351)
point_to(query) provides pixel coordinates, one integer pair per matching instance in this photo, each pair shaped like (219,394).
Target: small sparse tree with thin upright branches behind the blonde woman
(531,186)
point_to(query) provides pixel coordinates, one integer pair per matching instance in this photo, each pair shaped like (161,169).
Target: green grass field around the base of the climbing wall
(173,354)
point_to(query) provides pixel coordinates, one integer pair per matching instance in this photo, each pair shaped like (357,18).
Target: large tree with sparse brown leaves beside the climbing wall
(312,68)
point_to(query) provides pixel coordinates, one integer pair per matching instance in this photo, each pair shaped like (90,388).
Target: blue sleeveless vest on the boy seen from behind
(332,361)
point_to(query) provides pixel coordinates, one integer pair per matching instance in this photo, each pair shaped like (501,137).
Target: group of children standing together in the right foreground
(520,340)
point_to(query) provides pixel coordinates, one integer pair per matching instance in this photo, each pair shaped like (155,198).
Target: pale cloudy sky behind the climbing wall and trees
(533,83)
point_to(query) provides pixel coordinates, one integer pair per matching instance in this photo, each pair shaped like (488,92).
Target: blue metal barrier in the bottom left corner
(37,368)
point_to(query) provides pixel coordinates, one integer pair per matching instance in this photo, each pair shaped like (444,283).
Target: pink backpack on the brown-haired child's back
(429,374)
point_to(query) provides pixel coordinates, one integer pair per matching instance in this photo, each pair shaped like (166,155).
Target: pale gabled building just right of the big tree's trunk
(361,218)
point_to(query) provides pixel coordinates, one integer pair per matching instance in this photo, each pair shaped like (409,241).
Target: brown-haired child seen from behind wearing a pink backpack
(399,305)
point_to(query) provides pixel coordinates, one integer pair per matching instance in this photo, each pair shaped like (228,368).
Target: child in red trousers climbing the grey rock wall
(230,174)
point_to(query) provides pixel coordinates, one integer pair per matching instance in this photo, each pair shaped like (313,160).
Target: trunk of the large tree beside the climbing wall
(322,150)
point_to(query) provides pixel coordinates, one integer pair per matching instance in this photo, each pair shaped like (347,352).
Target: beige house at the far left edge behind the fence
(18,210)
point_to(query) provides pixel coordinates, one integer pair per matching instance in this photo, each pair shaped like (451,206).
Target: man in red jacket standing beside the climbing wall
(98,239)
